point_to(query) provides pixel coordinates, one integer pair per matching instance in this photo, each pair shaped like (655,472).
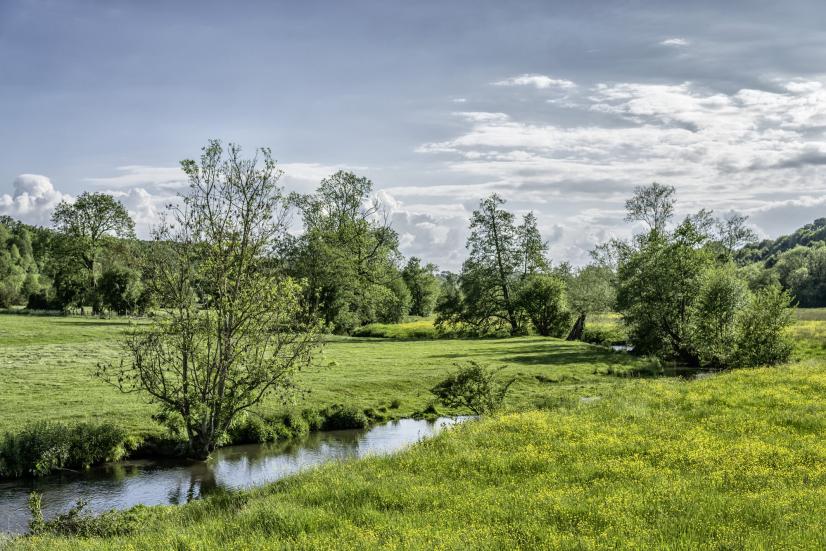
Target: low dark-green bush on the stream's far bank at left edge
(43,447)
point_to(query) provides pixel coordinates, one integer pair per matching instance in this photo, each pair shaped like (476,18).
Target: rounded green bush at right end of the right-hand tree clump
(762,337)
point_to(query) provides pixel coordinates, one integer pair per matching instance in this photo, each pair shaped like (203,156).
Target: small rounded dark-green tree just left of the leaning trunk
(542,298)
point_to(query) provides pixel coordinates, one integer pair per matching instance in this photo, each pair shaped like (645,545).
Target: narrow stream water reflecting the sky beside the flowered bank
(128,483)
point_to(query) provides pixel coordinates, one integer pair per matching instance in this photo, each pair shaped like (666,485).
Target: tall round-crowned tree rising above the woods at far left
(88,222)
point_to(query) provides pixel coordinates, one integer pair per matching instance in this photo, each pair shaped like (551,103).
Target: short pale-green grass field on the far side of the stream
(47,365)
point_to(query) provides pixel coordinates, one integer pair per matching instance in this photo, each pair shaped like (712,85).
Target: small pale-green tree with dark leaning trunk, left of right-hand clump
(591,289)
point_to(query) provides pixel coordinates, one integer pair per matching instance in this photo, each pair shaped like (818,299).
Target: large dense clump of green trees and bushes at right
(684,301)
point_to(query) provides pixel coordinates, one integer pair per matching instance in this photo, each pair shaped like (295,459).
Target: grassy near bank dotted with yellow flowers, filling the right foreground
(735,461)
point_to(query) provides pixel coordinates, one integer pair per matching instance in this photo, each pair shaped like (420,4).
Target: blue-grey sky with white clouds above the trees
(560,107)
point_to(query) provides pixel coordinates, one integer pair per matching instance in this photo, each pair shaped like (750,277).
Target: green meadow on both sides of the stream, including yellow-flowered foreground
(735,460)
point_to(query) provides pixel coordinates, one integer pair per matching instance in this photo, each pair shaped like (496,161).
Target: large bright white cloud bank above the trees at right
(750,150)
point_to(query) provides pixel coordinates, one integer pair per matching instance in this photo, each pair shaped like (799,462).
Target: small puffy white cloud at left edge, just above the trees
(33,199)
